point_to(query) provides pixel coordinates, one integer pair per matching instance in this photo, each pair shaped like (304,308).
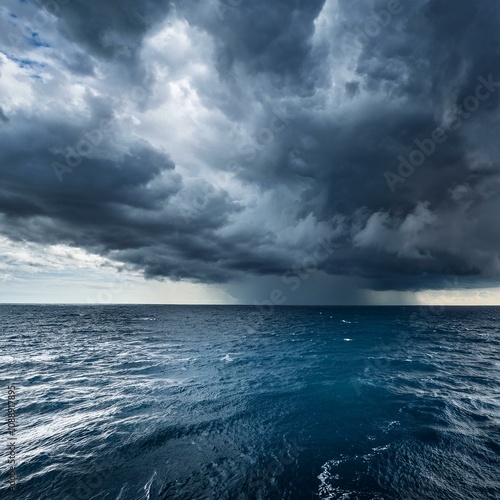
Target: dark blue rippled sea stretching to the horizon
(158,402)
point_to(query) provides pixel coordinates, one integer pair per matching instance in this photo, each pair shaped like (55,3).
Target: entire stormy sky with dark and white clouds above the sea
(259,152)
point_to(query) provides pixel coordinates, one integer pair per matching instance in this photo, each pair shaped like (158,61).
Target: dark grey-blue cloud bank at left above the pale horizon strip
(115,202)
